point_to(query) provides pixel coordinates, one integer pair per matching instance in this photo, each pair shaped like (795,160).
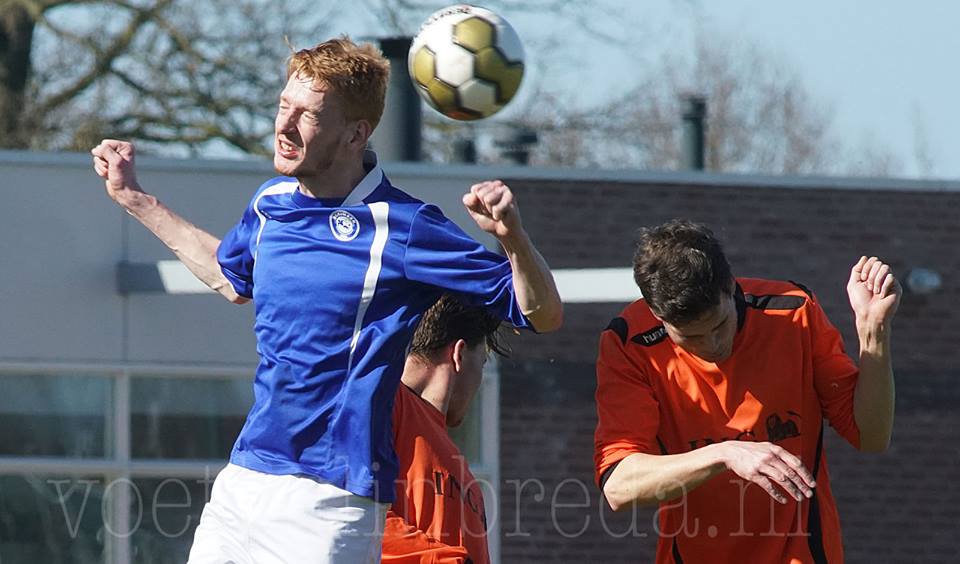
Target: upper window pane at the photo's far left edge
(55,415)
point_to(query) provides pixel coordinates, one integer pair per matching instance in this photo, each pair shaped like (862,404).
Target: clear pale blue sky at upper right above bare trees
(886,68)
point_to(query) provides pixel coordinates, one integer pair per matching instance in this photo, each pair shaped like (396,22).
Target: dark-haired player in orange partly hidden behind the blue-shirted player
(438,516)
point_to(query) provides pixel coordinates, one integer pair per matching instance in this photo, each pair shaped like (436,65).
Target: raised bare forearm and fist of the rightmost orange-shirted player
(874,295)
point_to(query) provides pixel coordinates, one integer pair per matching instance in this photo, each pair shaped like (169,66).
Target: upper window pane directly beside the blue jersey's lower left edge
(187,417)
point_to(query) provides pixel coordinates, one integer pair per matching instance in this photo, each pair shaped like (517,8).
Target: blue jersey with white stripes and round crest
(339,287)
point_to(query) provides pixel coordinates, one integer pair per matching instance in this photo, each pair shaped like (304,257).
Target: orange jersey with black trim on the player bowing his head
(788,371)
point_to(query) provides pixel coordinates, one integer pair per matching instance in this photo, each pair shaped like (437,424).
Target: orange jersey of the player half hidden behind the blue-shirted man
(435,494)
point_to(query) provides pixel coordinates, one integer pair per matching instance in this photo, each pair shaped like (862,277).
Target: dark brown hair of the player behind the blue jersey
(449,320)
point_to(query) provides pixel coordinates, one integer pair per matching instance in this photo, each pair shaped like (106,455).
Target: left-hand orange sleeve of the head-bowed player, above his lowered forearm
(627,408)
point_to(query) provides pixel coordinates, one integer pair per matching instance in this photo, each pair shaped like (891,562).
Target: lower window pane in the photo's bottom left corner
(51,519)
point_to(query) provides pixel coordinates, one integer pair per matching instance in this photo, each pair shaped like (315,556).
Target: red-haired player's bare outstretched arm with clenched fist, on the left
(114,161)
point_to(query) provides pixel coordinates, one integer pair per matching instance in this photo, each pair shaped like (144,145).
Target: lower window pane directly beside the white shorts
(171,510)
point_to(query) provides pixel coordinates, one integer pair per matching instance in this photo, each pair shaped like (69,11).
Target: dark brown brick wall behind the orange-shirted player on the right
(901,506)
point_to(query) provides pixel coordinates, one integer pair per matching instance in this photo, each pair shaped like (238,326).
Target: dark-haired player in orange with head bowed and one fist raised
(712,397)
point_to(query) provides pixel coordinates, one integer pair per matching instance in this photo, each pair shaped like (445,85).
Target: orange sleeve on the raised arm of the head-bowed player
(834,375)
